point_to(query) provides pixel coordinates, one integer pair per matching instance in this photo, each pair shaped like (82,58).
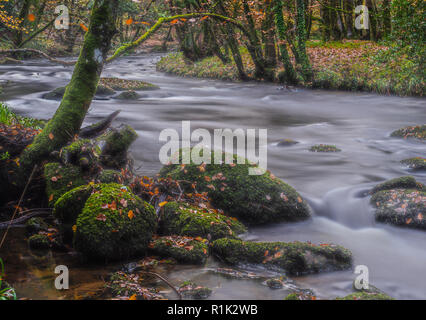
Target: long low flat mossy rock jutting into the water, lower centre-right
(296,258)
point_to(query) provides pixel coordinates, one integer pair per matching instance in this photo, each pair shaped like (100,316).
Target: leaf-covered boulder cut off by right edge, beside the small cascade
(403,207)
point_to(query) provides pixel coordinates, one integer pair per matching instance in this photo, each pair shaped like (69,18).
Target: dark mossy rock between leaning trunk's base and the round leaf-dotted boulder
(60,179)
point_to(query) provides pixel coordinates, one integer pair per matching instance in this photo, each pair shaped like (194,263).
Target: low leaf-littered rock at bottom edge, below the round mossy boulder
(129,286)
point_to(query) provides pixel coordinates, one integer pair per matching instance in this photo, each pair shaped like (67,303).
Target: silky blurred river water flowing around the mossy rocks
(333,183)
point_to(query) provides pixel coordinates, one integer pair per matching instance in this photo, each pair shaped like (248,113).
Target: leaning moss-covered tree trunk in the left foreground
(78,96)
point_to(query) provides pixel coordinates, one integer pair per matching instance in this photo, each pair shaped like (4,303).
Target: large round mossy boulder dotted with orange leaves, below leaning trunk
(114,224)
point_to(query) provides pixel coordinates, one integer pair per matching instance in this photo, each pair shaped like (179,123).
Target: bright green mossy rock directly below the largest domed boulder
(182,219)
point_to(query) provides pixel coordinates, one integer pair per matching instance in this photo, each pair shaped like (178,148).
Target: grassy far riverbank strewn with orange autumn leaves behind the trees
(348,65)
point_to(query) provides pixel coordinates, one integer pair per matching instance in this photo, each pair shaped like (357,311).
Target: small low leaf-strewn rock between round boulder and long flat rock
(182,249)
